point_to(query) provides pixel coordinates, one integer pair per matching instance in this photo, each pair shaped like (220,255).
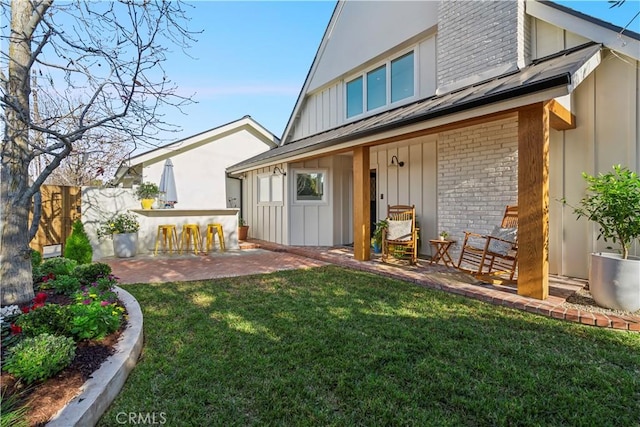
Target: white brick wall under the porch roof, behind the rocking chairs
(477,177)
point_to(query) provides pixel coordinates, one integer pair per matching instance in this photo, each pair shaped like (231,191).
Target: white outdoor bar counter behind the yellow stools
(150,219)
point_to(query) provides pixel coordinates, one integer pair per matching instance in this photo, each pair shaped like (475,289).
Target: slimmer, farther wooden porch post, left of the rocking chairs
(361,205)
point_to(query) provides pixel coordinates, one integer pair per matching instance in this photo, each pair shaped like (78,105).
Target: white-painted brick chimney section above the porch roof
(477,36)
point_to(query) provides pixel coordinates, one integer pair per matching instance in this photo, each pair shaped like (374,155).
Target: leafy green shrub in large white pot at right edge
(613,202)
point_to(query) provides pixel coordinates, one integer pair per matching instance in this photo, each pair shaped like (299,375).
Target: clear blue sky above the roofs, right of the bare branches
(253,57)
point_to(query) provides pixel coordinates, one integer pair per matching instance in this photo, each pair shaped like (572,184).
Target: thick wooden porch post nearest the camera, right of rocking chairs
(533,201)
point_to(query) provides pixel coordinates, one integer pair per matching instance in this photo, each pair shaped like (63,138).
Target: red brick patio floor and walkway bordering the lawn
(260,257)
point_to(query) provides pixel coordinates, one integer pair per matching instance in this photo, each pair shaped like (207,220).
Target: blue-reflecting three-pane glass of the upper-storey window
(381,86)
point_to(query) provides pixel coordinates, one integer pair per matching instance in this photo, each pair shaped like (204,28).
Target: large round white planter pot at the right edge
(615,282)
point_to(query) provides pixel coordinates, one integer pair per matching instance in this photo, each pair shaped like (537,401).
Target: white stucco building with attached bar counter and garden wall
(205,193)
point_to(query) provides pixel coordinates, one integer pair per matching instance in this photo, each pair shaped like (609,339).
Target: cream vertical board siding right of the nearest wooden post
(607,132)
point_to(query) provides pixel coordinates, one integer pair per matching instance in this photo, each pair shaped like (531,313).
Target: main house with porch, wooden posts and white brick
(485,104)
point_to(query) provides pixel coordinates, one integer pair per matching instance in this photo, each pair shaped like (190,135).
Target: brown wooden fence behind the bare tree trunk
(61,206)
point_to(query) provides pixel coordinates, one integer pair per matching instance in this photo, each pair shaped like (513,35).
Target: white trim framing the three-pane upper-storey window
(363,74)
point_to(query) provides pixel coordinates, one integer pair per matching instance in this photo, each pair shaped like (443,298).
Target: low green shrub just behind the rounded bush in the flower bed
(51,319)
